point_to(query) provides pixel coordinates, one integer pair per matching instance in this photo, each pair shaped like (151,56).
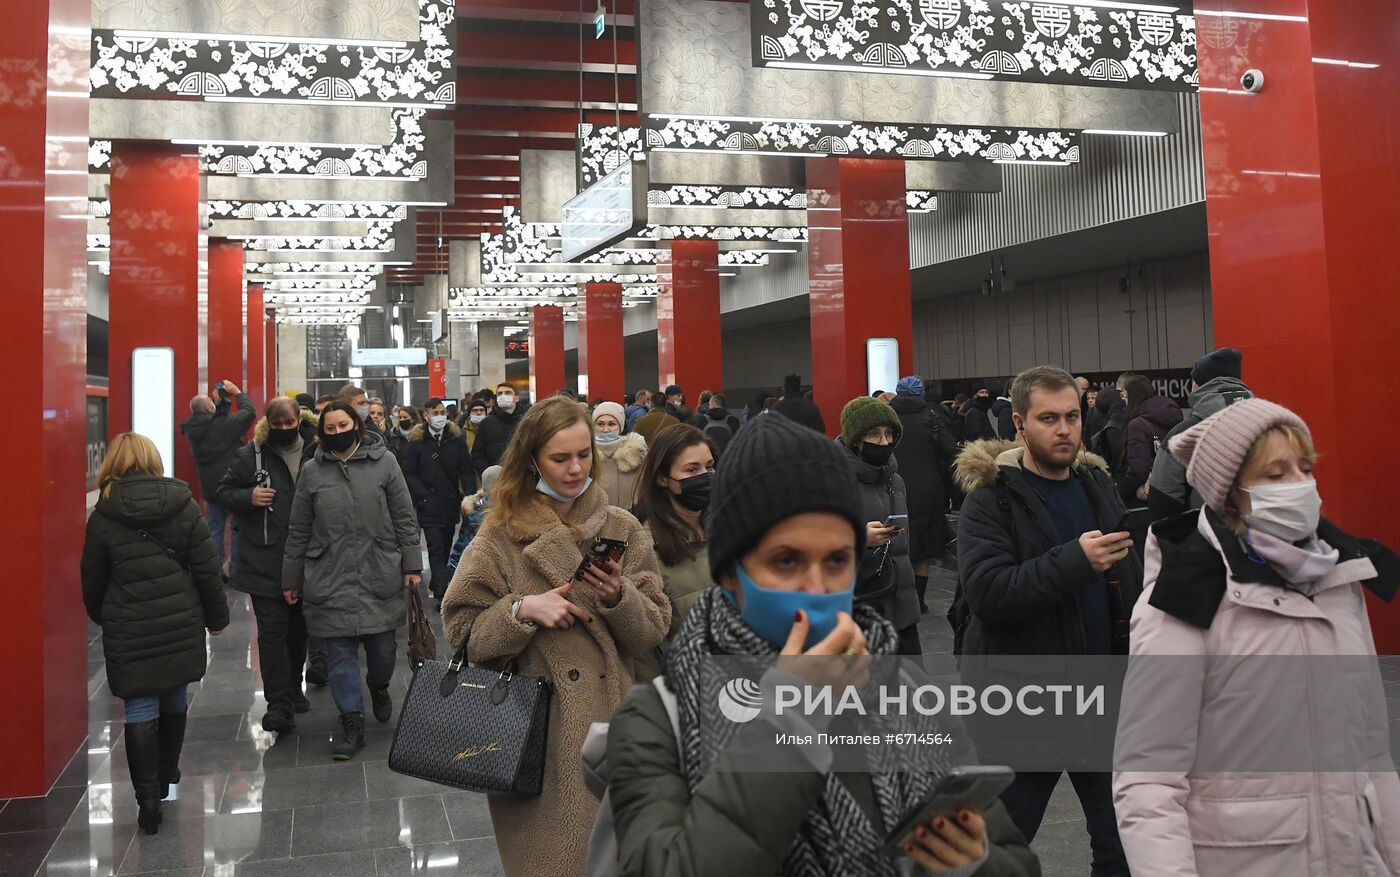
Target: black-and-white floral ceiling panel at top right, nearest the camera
(1151,47)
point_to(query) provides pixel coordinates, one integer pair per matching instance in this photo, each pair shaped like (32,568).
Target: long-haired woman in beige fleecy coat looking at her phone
(517,595)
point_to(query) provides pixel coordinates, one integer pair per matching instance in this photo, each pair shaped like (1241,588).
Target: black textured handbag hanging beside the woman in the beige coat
(474,729)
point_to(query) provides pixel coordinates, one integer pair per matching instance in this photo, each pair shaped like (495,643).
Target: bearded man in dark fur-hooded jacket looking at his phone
(1044,574)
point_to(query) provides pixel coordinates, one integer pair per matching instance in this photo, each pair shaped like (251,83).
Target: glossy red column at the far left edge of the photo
(44,69)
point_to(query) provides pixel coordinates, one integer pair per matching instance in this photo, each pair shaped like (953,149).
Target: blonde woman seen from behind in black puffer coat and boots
(152,581)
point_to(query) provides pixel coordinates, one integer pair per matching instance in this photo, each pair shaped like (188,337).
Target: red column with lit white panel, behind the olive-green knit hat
(859,271)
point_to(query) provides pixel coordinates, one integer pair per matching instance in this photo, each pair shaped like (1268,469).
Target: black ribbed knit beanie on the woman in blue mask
(771,471)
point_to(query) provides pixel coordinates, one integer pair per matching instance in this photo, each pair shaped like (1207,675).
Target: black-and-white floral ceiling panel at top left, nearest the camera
(148,65)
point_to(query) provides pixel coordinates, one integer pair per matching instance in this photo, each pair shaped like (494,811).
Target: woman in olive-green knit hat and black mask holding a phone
(870,432)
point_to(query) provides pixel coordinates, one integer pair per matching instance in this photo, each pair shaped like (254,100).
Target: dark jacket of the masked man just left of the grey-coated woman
(261,532)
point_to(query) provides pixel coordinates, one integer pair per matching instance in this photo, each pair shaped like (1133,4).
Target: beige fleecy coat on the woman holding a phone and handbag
(590,665)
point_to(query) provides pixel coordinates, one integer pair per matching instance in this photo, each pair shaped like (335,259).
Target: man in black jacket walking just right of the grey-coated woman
(439,471)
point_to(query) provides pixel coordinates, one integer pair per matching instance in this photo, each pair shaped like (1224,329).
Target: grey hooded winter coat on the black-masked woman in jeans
(352,539)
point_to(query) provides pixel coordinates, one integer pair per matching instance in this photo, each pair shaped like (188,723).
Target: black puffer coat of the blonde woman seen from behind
(153,610)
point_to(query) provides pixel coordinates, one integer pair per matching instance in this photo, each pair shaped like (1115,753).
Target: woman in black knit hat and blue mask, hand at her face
(786,530)
